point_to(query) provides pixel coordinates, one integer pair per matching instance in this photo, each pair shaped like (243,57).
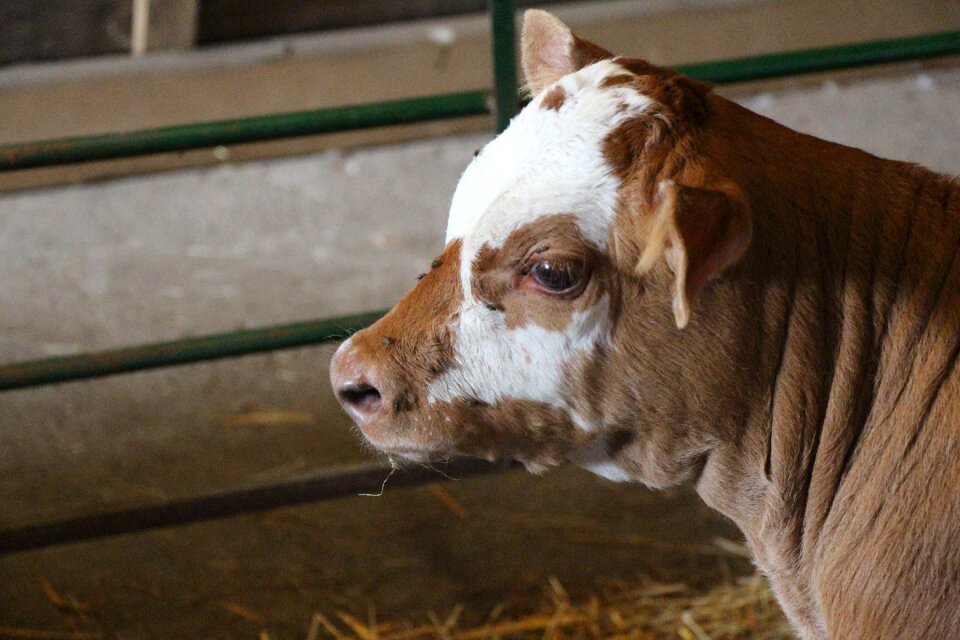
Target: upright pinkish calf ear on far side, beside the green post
(549,50)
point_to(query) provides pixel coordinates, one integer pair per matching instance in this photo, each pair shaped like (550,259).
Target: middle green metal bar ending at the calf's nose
(176,352)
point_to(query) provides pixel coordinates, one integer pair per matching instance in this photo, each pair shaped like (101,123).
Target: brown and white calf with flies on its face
(655,283)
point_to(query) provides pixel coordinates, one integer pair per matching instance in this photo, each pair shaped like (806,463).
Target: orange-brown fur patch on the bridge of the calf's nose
(413,343)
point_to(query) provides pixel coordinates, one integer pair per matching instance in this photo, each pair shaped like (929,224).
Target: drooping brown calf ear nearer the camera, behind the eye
(699,232)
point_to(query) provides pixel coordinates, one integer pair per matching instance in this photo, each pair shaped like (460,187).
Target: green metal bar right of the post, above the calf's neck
(826,59)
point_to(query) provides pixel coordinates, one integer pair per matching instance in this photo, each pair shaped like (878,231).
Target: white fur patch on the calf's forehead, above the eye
(547,162)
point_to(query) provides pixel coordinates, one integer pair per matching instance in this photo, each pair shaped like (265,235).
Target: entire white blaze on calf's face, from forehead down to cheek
(547,162)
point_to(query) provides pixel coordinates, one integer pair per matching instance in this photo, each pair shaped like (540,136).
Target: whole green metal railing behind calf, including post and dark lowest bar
(503,105)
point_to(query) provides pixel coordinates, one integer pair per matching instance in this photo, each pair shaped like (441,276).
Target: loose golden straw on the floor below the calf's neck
(744,609)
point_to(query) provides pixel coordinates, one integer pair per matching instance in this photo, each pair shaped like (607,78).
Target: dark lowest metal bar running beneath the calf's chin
(324,485)
